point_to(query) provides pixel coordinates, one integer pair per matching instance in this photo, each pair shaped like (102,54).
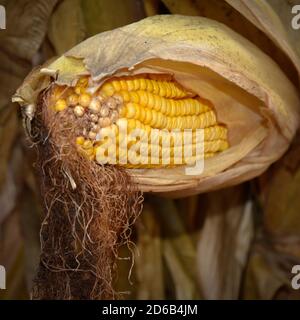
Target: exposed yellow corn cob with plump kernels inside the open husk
(150,103)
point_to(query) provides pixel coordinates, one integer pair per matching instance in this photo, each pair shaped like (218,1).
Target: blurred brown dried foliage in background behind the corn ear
(240,242)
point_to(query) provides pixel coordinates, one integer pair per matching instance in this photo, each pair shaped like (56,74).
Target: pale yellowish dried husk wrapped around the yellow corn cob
(251,94)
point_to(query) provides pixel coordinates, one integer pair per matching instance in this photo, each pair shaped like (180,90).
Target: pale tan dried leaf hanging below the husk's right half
(224,243)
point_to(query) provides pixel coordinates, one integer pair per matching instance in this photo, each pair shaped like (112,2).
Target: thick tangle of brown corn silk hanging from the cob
(83,226)
